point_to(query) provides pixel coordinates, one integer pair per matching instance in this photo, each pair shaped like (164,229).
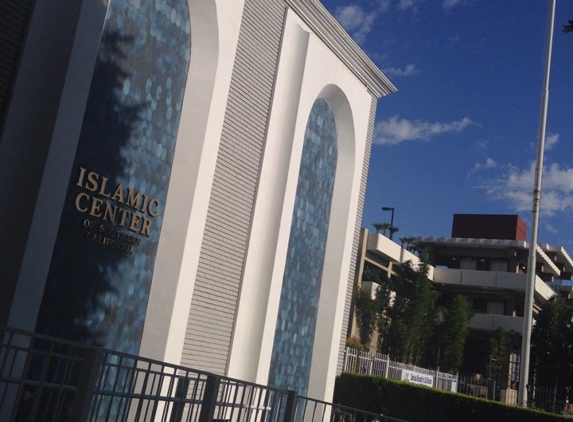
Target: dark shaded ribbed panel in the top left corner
(14,18)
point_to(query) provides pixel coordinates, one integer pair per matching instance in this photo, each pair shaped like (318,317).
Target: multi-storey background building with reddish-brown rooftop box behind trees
(488,266)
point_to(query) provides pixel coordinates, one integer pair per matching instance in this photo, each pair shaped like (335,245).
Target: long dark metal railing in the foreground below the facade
(45,379)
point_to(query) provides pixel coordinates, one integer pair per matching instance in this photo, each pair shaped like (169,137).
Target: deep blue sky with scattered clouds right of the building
(460,135)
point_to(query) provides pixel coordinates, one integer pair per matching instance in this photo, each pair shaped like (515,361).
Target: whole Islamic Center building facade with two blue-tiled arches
(184,180)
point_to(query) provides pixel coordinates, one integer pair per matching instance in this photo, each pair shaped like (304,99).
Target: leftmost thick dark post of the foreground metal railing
(86,384)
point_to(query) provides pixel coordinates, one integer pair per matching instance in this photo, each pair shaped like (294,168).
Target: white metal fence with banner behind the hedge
(378,364)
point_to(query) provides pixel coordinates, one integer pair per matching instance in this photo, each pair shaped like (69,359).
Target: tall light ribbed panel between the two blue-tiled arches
(224,247)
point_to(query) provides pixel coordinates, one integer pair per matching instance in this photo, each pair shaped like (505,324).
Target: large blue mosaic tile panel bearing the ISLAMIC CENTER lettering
(100,275)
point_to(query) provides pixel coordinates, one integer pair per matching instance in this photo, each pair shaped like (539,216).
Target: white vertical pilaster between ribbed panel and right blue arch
(262,279)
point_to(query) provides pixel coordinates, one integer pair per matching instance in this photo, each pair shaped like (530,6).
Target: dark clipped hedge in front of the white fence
(420,404)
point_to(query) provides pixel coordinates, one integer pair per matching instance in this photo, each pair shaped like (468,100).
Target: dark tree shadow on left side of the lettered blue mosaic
(80,294)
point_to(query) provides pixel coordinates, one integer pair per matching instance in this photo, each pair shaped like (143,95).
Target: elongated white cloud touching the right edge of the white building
(396,129)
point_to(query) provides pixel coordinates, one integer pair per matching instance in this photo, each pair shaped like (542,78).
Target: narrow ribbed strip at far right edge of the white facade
(356,240)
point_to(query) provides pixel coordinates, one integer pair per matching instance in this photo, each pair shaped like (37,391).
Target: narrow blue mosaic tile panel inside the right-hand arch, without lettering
(296,323)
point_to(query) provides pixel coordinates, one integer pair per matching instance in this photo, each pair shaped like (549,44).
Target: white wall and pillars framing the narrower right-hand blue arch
(323,76)
